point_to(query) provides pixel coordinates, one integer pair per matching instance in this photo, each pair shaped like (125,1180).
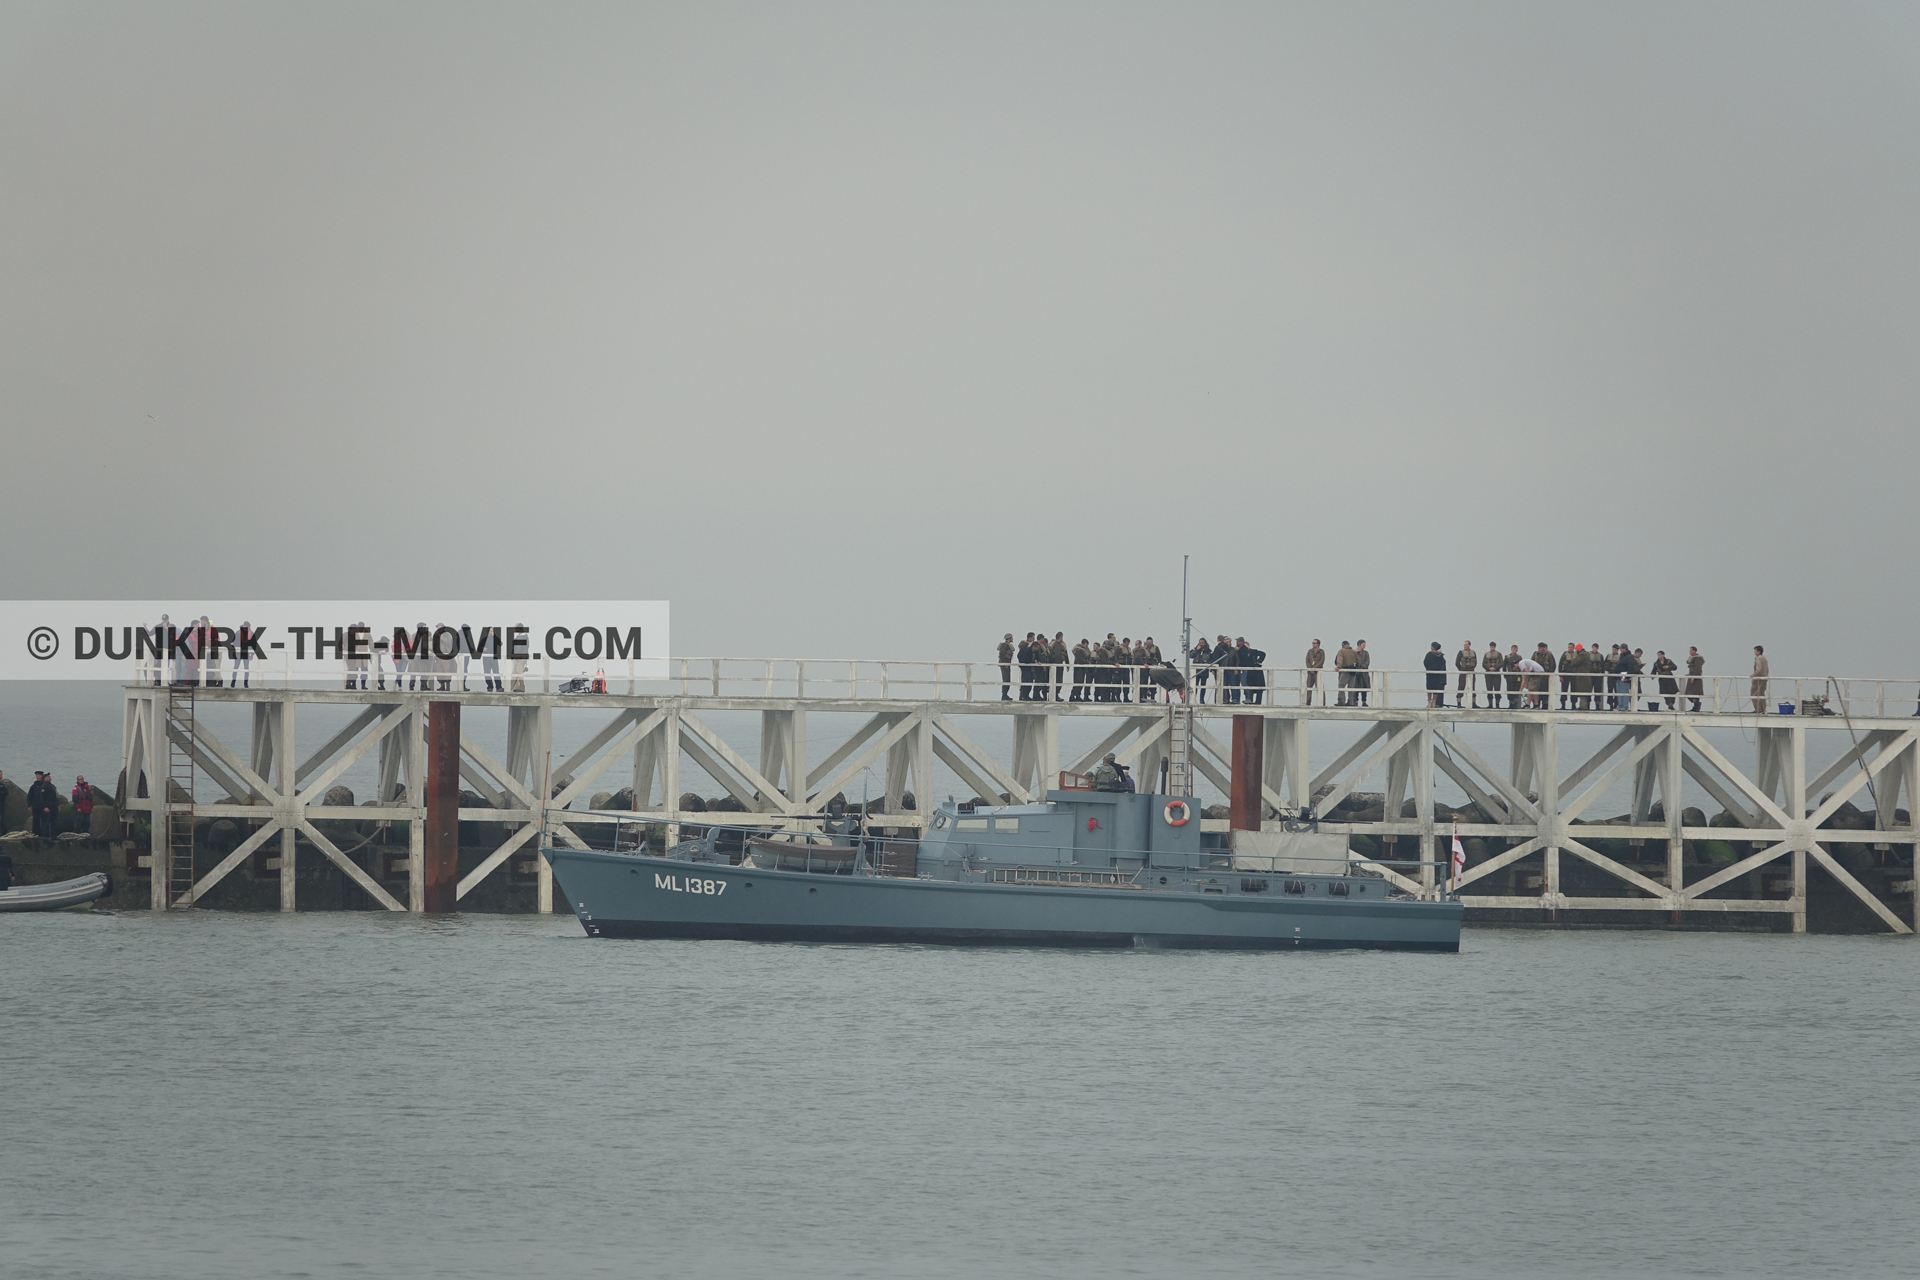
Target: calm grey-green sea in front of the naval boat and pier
(498,1097)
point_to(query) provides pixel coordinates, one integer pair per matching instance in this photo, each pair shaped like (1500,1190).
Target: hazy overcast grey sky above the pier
(882,331)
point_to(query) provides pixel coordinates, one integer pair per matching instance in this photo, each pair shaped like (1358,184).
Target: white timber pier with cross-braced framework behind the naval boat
(905,717)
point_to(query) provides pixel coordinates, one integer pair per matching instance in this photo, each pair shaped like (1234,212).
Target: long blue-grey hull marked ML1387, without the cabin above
(636,897)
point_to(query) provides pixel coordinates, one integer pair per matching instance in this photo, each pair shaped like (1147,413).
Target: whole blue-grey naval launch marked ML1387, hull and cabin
(1084,868)
